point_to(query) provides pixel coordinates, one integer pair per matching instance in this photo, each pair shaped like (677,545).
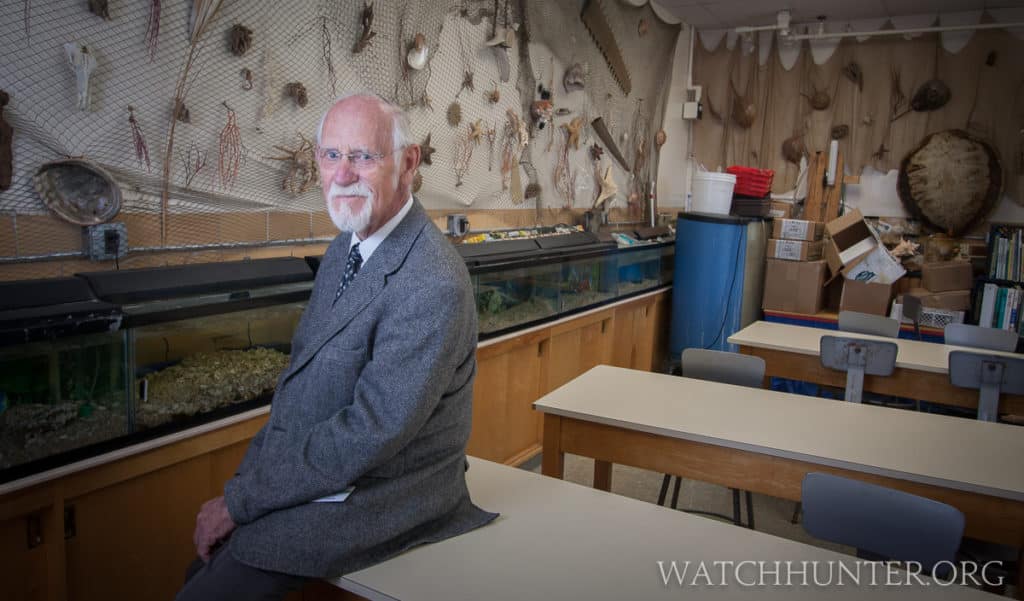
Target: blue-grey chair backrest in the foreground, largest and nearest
(889,524)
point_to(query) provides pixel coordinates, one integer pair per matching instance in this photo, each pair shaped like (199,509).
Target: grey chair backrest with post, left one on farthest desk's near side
(858,357)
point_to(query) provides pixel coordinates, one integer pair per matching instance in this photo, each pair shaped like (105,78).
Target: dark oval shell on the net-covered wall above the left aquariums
(78,192)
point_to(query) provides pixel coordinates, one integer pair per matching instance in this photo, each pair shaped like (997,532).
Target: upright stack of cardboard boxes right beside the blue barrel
(795,274)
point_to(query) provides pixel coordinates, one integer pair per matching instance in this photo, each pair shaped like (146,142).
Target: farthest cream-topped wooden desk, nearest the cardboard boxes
(922,368)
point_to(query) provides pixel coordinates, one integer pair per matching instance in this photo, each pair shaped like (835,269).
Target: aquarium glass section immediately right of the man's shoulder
(516,296)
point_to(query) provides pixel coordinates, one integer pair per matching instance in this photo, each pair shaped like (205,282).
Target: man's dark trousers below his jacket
(227,579)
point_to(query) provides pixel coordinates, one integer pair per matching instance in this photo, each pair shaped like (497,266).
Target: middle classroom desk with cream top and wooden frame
(766,442)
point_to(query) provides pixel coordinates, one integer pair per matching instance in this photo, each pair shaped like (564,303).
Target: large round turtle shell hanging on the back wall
(951,181)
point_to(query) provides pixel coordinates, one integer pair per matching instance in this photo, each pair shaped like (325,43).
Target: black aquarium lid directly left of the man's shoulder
(132,286)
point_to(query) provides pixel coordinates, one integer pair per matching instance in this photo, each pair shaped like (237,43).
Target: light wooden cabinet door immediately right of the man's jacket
(510,376)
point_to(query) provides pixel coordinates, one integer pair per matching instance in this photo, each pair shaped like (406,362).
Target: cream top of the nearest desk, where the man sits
(560,541)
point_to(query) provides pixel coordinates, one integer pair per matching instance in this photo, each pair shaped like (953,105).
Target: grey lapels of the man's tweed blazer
(330,319)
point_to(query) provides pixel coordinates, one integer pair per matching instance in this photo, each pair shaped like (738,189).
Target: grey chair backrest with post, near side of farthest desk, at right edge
(991,375)
